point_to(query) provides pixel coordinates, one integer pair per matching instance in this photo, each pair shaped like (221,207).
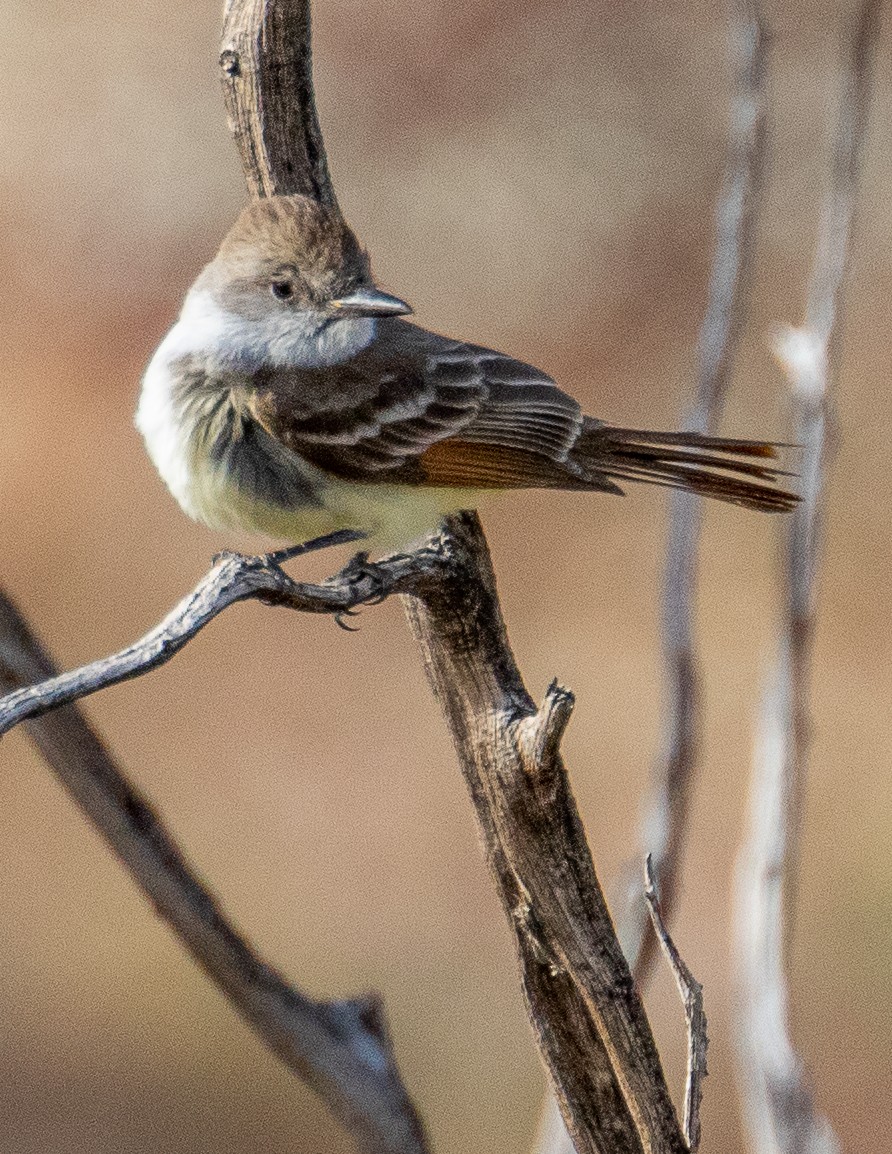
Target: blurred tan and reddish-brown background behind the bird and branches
(539,177)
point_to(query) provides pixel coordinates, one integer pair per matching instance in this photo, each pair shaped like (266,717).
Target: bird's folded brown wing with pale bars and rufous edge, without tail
(416,408)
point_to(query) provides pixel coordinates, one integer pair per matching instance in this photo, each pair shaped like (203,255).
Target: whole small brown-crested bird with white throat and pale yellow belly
(291,399)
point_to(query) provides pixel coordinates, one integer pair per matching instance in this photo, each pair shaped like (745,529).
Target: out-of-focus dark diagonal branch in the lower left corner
(342,1050)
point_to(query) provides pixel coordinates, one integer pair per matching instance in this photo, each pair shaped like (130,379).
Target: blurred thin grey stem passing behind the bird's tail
(737,221)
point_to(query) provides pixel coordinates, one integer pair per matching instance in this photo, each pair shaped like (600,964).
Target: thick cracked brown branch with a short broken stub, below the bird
(589,1020)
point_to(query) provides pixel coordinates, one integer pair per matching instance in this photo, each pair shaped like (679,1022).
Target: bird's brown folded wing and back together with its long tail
(418,409)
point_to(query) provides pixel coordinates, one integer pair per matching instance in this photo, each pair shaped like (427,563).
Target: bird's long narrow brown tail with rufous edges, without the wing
(734,471)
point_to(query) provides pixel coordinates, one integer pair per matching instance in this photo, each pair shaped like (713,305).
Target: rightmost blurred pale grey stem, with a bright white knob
(778,1103)
